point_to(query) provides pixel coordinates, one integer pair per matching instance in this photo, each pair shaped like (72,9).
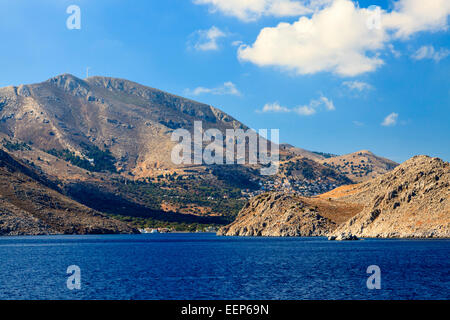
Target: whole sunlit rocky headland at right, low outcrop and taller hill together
(412,201)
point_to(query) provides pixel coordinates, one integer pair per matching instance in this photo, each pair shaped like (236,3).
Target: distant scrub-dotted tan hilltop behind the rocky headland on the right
(359,166)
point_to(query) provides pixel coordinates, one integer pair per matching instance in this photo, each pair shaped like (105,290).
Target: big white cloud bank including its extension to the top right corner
(343,38)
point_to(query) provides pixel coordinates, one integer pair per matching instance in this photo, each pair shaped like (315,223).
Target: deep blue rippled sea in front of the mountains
(204,266)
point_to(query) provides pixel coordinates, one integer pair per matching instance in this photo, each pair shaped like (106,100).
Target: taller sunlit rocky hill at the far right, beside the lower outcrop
(412,201)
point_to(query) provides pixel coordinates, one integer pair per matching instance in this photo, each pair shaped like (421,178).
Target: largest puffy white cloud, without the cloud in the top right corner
(335,39)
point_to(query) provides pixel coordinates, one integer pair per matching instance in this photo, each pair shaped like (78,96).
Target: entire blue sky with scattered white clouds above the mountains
(335,76)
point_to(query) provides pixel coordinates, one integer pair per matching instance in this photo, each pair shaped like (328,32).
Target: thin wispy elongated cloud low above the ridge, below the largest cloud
(304,110)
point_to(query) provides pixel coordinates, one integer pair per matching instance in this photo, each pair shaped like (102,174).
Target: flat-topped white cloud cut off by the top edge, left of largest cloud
(251,10)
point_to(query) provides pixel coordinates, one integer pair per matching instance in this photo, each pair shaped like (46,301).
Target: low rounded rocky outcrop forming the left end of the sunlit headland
(281,215)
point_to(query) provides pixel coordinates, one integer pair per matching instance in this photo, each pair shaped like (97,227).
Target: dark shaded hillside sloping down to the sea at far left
(30,204)
